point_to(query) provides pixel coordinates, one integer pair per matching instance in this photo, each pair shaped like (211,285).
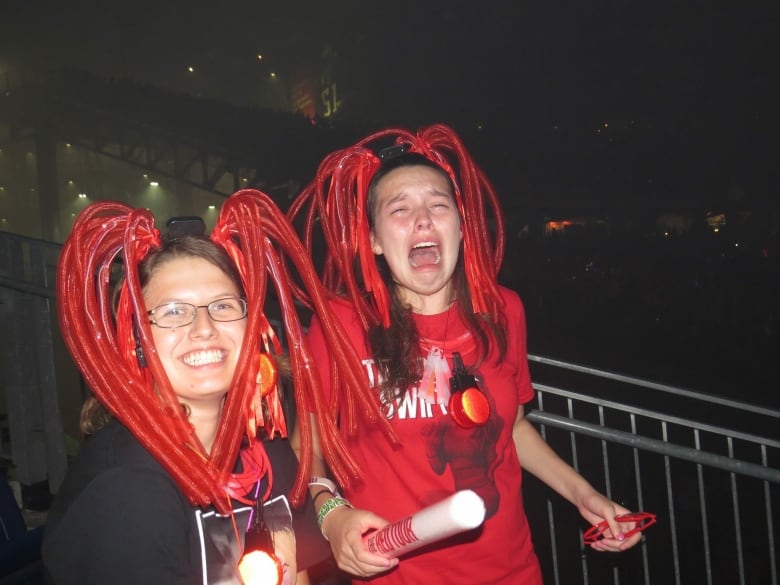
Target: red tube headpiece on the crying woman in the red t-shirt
(337,198)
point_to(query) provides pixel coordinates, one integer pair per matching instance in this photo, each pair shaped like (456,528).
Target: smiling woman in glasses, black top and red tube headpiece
(186,449)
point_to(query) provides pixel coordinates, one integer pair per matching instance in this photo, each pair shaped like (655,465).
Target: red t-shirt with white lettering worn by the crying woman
(437,457)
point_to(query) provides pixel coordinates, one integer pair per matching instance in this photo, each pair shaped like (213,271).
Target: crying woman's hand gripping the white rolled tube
(344,528)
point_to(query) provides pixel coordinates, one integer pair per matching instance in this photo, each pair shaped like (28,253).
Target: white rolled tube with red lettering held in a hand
(459,512)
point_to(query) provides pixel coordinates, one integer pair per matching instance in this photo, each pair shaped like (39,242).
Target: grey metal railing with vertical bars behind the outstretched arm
(714,488)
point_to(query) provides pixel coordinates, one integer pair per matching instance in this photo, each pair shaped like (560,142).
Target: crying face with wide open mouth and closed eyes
(416,227)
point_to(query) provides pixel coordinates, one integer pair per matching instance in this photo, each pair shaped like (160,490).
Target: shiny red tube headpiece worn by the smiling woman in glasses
(261,242)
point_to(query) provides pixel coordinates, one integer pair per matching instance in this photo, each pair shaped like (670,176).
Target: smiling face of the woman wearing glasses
(198,358)
